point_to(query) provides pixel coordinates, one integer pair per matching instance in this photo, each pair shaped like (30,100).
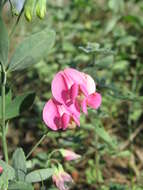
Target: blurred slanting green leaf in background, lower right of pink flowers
(104,135)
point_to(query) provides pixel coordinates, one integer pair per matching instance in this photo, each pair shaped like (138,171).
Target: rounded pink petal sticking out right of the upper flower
(94,100)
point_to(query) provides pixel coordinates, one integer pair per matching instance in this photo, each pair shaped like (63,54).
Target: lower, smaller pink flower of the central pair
(56,116)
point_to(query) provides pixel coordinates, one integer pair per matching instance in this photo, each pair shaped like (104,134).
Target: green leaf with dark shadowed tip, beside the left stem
(18,105)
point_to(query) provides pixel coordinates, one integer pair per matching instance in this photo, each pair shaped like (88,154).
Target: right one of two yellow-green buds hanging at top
(41,8)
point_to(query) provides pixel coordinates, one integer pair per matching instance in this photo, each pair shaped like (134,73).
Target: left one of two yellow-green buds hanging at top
(29,9)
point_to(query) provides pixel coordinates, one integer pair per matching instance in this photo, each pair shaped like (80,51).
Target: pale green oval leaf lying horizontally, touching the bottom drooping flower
(39,175)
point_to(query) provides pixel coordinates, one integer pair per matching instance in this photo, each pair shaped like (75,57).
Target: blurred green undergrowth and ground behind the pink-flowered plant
(105,39)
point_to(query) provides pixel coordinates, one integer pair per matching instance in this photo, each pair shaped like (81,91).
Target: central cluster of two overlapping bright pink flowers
(73,92)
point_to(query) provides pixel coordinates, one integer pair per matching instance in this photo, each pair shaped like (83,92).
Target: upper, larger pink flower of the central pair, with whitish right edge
(73,87)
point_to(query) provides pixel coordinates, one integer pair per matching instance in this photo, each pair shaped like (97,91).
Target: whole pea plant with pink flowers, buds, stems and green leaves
(72,93)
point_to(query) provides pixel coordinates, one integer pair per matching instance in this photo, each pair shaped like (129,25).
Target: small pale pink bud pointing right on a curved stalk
(69,155)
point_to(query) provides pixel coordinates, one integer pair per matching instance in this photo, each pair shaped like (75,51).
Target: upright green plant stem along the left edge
(4,143)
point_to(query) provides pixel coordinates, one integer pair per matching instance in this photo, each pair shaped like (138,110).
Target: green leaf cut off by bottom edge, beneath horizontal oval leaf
(18,185)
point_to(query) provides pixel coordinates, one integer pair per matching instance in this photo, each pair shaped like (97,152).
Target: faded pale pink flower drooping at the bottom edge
(60,177)
